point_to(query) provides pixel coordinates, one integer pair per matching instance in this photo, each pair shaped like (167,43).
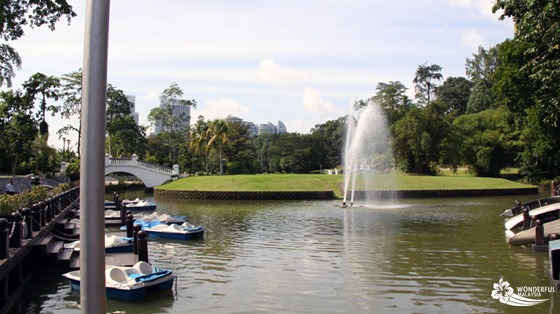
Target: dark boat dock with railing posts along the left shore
(33,240)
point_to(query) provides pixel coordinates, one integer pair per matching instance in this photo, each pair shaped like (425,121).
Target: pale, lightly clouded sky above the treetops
(302,62)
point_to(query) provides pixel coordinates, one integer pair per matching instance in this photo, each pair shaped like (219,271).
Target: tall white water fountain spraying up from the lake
(367,151)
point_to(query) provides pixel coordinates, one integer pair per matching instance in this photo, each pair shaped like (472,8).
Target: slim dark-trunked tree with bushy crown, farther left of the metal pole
(44,87)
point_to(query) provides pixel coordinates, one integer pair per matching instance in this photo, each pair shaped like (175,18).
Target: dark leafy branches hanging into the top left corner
(14,15)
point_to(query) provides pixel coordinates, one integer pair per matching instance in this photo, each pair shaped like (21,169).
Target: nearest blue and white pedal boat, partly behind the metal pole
(130,283)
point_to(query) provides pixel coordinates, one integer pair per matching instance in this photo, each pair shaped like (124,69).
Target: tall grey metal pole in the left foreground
(92,159)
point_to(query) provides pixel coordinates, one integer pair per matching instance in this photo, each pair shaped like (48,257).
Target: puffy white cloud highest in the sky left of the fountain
(271,73)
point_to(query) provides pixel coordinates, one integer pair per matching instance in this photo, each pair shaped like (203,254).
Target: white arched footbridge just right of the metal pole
(151,174)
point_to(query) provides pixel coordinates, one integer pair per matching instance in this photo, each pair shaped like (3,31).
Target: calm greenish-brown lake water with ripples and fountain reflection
(410,256)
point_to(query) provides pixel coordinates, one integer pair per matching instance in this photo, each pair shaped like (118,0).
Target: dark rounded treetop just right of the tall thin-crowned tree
(454,93)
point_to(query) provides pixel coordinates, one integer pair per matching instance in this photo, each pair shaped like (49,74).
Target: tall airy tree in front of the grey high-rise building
(168,119)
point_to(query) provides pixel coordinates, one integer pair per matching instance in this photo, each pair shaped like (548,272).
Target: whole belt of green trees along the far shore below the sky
(504,113)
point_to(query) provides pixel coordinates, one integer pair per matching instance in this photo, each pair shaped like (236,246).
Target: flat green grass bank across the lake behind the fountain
(319,182)
